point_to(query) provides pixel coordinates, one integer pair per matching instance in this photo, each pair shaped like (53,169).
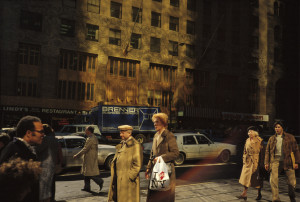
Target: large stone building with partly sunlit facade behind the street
(212,61)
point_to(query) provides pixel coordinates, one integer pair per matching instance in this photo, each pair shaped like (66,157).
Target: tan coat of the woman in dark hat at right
(251,160)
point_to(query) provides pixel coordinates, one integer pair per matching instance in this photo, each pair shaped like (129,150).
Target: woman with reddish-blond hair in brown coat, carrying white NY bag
(164,145)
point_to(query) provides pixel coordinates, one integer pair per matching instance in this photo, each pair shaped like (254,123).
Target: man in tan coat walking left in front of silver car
(90,169)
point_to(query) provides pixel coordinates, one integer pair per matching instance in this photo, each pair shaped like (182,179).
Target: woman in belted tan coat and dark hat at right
(252,162)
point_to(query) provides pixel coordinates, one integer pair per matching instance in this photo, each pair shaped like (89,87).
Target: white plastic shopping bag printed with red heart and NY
(159,180)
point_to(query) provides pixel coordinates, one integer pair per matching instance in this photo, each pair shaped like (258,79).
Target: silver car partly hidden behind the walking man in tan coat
(71,145)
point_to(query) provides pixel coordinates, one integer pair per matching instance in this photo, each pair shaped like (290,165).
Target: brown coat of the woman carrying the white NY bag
(166,148)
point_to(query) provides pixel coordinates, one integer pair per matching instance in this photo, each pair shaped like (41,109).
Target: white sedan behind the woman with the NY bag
(197,146)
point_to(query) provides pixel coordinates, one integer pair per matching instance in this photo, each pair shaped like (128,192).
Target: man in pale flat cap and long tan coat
(125,168)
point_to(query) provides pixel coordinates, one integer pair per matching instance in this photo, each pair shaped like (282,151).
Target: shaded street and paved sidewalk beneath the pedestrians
(204,181)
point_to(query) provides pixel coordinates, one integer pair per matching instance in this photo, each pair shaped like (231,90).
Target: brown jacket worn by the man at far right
(289,144)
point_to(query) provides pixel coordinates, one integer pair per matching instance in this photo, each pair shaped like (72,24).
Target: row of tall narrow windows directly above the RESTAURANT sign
(74,90)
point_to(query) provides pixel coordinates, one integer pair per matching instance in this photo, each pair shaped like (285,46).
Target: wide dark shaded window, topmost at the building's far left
(31,21)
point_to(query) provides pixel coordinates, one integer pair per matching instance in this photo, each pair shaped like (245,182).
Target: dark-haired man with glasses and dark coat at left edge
(29,132)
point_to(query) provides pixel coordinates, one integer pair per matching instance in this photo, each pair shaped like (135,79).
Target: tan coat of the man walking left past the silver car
(90,158)
